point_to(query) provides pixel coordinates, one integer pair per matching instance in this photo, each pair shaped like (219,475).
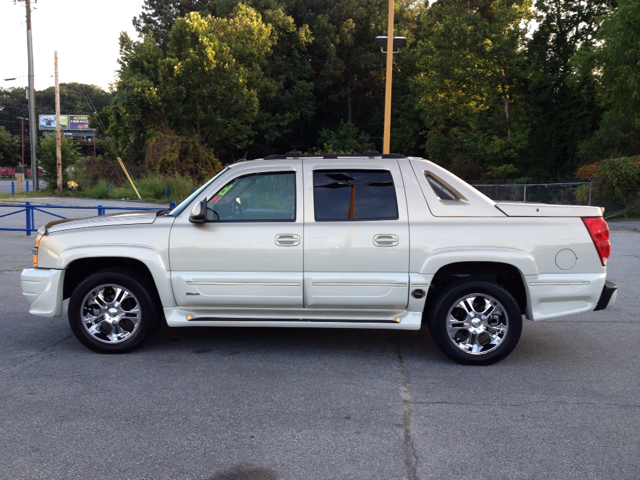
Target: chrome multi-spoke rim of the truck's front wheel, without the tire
(110,313)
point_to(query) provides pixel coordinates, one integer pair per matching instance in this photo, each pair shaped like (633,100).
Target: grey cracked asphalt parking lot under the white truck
(297,404)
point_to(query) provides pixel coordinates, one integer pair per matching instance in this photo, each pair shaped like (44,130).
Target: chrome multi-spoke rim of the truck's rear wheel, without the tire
(477,324)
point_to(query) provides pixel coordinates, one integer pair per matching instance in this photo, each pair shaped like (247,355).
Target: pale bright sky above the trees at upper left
(87,42)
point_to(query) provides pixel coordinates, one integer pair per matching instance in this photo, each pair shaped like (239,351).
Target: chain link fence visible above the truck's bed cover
(559,193)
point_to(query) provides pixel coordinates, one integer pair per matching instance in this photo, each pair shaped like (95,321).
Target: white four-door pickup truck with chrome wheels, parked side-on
(333,241)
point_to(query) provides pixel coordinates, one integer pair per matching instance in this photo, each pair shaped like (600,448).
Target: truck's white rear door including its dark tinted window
(356,236)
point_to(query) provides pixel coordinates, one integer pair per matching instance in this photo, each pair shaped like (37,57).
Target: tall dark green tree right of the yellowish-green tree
(561,101)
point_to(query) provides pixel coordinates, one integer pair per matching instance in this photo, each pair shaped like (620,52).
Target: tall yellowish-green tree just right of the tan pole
(467,83)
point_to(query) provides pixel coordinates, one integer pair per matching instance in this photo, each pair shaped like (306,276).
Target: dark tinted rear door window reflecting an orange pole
(345,195)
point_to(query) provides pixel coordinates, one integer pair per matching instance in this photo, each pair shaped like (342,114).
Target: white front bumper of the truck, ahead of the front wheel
(42,287)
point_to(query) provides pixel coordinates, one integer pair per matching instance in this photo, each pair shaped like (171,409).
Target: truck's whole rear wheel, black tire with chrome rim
(475,322)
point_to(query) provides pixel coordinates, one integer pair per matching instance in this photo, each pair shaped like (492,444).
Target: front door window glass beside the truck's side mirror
(260,197)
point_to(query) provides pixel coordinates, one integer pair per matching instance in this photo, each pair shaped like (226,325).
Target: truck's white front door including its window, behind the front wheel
(248,254)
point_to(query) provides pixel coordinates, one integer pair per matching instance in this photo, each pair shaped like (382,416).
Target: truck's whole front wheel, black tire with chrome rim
(118,325)
